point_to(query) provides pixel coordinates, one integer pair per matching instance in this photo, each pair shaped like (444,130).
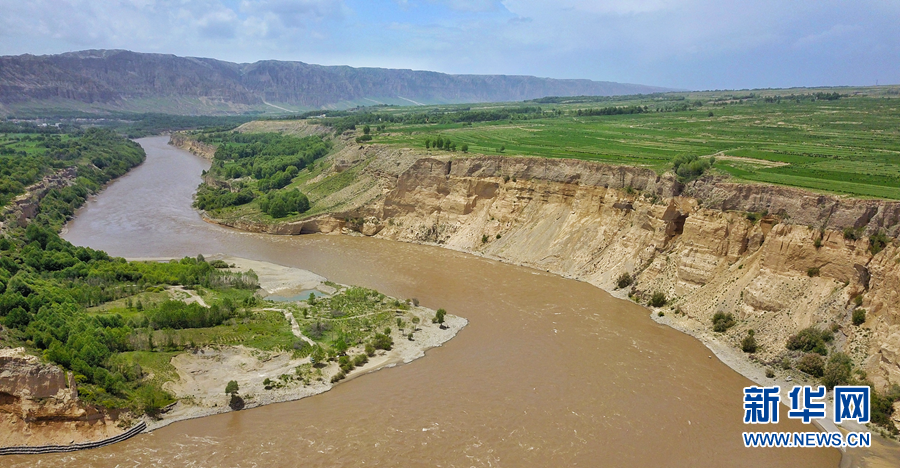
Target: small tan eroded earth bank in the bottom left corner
(39,405)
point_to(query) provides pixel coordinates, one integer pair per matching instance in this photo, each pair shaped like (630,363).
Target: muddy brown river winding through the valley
(549,372)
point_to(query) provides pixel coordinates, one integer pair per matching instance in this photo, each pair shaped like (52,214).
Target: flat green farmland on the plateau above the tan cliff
(849,145)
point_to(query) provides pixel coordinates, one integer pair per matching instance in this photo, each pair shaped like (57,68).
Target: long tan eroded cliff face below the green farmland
(695,243)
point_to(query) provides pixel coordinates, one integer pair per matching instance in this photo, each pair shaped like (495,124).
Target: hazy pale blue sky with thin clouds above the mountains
(689,44)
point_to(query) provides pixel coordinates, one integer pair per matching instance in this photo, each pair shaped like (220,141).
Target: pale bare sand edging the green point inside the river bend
(204,373)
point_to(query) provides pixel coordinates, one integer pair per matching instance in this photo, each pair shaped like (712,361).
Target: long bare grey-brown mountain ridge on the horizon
(110,79)
